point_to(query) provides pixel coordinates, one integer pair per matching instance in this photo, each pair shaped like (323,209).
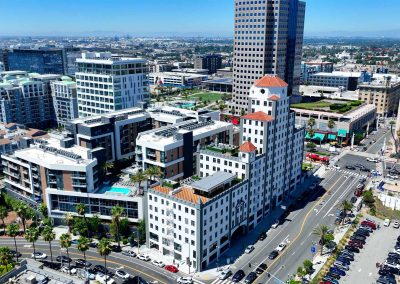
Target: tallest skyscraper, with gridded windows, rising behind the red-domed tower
(268,40)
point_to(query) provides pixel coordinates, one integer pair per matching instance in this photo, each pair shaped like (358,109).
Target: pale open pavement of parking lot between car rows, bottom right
(379,244)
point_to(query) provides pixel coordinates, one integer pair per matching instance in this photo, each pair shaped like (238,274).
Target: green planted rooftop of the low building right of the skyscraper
(329,106)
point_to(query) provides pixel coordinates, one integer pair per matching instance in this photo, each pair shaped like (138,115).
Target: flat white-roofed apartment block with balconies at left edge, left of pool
(52,164)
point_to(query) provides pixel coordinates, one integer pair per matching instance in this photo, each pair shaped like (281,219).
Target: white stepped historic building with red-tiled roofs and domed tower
(235,187)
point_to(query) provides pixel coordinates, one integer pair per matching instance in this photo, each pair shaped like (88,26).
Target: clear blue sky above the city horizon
(185,17)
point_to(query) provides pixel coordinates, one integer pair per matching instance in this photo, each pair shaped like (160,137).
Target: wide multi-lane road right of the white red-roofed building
(297,231)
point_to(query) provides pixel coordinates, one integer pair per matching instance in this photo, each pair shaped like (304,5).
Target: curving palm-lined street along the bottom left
(131,265)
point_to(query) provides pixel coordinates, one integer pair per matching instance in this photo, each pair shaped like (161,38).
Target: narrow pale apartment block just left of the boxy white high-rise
(65,100)
